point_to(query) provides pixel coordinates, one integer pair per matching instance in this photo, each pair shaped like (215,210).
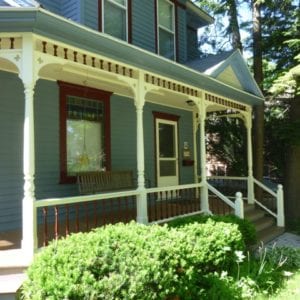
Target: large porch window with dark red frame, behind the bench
(85,132)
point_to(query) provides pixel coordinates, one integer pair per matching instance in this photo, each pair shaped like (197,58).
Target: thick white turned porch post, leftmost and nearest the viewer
(29,232)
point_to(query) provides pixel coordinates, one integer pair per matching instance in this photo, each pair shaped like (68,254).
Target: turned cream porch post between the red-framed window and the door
(142,212)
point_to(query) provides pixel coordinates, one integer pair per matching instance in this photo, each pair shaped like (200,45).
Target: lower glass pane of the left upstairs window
(115,20)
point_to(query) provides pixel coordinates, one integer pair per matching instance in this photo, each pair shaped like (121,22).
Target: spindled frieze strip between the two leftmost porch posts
(85,59)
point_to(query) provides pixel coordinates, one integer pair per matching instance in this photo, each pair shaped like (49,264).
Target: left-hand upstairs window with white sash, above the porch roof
(115,18)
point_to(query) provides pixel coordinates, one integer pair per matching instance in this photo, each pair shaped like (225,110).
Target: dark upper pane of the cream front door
(166,140)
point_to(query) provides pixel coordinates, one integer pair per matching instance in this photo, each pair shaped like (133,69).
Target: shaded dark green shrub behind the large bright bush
(245,226)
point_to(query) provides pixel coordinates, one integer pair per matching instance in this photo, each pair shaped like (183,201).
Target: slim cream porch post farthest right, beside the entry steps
(250,181)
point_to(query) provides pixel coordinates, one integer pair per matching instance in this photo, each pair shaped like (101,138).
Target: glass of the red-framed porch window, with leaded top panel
(85,135)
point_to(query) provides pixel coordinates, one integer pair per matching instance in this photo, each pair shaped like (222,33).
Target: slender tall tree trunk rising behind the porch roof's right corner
(259,110)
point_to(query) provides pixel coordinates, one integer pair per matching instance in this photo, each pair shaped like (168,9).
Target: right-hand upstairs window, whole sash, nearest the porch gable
(166,29)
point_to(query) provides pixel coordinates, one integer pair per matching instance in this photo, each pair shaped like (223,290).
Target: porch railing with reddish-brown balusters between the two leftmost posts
(62,216)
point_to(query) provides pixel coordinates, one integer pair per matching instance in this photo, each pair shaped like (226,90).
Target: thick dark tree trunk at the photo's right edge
(292,173)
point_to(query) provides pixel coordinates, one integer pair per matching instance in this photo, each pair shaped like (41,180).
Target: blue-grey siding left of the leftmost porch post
(11,153)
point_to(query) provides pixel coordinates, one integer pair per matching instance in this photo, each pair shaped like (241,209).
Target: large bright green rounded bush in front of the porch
(133,262)
